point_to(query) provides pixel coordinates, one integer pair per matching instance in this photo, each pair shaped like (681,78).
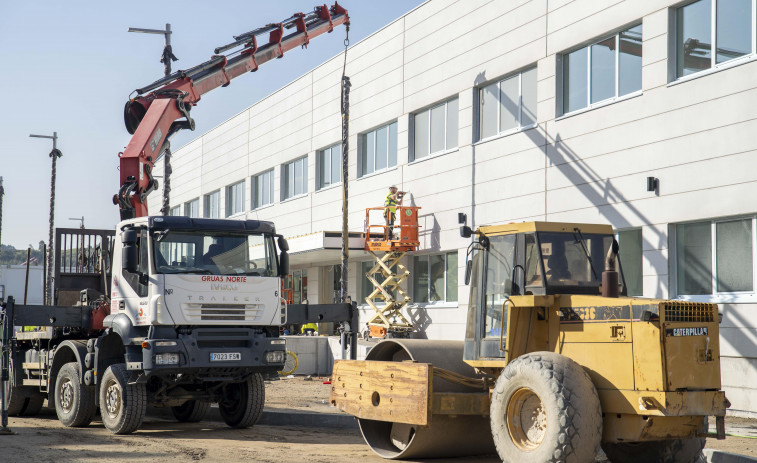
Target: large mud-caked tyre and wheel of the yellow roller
(545,409)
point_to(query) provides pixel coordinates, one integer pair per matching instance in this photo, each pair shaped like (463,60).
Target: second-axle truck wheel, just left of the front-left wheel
(74,402)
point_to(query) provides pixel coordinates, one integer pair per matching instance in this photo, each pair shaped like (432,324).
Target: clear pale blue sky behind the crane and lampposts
(70,67)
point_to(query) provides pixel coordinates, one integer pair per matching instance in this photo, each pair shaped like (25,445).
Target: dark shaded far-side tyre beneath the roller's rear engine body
(666,451)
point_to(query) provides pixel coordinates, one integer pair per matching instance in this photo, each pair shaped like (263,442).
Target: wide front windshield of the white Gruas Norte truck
(214,253)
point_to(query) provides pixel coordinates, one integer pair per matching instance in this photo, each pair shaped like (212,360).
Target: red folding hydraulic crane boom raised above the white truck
(162,108)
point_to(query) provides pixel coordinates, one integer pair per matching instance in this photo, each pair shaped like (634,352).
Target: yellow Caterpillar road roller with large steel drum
(557,361)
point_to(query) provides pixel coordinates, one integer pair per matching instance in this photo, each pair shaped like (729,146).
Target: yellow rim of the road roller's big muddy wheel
(526,419)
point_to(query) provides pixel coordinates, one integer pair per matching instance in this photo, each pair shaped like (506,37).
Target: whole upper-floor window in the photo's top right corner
(703,43)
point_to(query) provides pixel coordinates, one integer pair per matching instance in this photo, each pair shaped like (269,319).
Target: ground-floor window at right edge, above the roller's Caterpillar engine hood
(715,257)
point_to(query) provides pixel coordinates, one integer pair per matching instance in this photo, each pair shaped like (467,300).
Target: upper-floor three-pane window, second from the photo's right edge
(603,71)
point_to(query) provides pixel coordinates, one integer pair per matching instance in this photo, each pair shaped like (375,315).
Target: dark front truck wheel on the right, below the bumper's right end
(242,403)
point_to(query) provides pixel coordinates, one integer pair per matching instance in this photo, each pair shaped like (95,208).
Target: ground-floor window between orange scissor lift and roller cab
(435,277)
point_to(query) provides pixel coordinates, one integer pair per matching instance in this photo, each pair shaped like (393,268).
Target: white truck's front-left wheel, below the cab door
(122,405)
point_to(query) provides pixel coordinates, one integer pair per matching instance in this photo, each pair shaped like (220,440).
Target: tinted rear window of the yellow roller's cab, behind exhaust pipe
(567,258)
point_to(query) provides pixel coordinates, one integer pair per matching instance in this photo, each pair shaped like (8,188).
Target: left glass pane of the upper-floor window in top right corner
(693,48)
